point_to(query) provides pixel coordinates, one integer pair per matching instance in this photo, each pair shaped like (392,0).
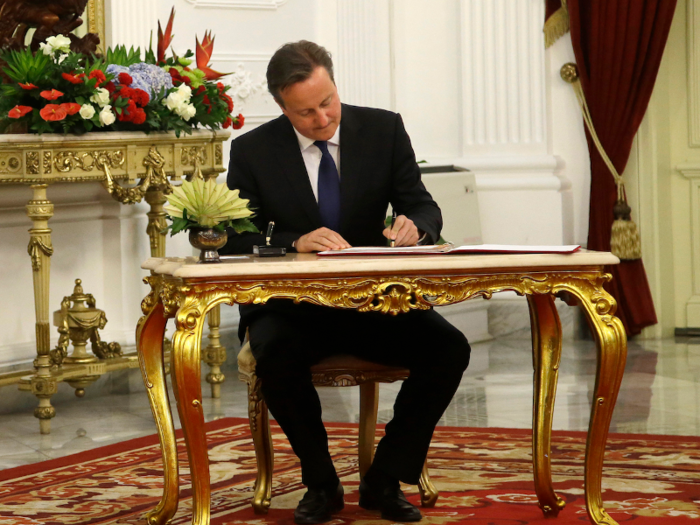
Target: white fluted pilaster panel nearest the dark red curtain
(503,77)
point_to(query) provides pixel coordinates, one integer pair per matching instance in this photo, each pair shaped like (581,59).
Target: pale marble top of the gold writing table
(301,264)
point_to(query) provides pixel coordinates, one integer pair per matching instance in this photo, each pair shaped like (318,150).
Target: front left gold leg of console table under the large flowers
(40,249)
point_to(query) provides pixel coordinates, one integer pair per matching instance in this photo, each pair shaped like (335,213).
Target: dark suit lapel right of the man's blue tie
(351,160)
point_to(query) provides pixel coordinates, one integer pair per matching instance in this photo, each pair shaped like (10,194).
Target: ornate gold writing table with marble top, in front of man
(186,291)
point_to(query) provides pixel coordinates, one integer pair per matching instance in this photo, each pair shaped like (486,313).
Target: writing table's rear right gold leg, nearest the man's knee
(546,352)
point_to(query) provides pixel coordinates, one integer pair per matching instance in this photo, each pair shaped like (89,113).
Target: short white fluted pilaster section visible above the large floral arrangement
(130,22)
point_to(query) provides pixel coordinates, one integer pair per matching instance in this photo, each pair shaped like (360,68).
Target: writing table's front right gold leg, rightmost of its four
(612,353)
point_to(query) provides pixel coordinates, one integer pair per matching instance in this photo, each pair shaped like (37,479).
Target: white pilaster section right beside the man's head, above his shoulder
(362,62)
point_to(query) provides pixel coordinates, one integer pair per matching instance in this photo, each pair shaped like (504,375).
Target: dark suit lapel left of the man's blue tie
(292,165)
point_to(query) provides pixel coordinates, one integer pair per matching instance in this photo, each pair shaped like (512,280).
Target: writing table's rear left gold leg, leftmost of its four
(149,337)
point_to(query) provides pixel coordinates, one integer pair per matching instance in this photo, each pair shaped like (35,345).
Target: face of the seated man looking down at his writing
(313,106)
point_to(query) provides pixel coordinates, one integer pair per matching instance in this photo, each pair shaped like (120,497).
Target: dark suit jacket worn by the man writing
(377,167)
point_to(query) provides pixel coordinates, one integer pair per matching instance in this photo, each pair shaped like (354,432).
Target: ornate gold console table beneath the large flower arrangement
(131,166)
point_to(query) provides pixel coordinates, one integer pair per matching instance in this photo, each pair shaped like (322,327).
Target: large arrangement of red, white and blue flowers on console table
(59,91)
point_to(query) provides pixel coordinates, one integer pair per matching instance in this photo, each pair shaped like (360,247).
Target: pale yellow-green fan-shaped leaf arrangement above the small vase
(200,204)
